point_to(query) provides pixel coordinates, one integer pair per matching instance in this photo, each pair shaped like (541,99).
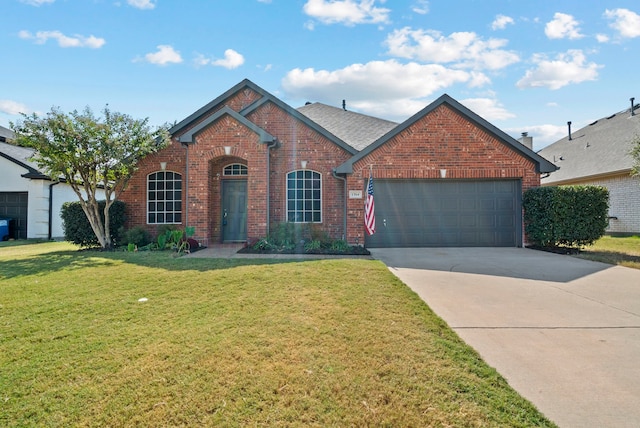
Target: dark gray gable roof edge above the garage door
(542,165)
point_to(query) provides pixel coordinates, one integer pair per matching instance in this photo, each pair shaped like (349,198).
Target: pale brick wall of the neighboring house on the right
(624,201)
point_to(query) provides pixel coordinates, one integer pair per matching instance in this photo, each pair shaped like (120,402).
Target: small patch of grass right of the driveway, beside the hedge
(624,251)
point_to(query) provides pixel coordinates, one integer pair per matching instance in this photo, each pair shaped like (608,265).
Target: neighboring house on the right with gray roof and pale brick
(598,154)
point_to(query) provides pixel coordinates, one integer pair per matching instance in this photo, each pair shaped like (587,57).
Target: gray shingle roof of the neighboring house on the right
(598,149)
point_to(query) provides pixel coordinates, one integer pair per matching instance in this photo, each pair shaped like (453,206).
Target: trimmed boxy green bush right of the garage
(566,216)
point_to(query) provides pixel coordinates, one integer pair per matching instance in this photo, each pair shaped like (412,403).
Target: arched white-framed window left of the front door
(164,197)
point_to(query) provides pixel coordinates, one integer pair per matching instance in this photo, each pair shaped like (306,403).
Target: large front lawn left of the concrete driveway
(231,342)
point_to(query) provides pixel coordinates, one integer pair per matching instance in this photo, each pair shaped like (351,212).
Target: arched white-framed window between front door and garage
(304,197)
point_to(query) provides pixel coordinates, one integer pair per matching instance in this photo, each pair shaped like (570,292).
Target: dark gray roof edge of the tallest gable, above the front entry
(265,97)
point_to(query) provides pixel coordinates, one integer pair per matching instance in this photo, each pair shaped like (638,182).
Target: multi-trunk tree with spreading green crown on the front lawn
(89,154)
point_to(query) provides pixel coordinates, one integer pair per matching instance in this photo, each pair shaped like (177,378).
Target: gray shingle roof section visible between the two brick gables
(357,130)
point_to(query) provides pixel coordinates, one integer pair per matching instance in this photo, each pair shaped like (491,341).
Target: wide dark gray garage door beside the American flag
(447,213)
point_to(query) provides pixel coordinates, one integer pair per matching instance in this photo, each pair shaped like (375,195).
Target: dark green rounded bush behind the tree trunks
(78,230)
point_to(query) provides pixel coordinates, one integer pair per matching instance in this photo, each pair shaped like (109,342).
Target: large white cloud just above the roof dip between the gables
(404,92)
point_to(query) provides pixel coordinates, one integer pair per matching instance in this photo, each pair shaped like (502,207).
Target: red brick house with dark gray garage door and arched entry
(247,160)
